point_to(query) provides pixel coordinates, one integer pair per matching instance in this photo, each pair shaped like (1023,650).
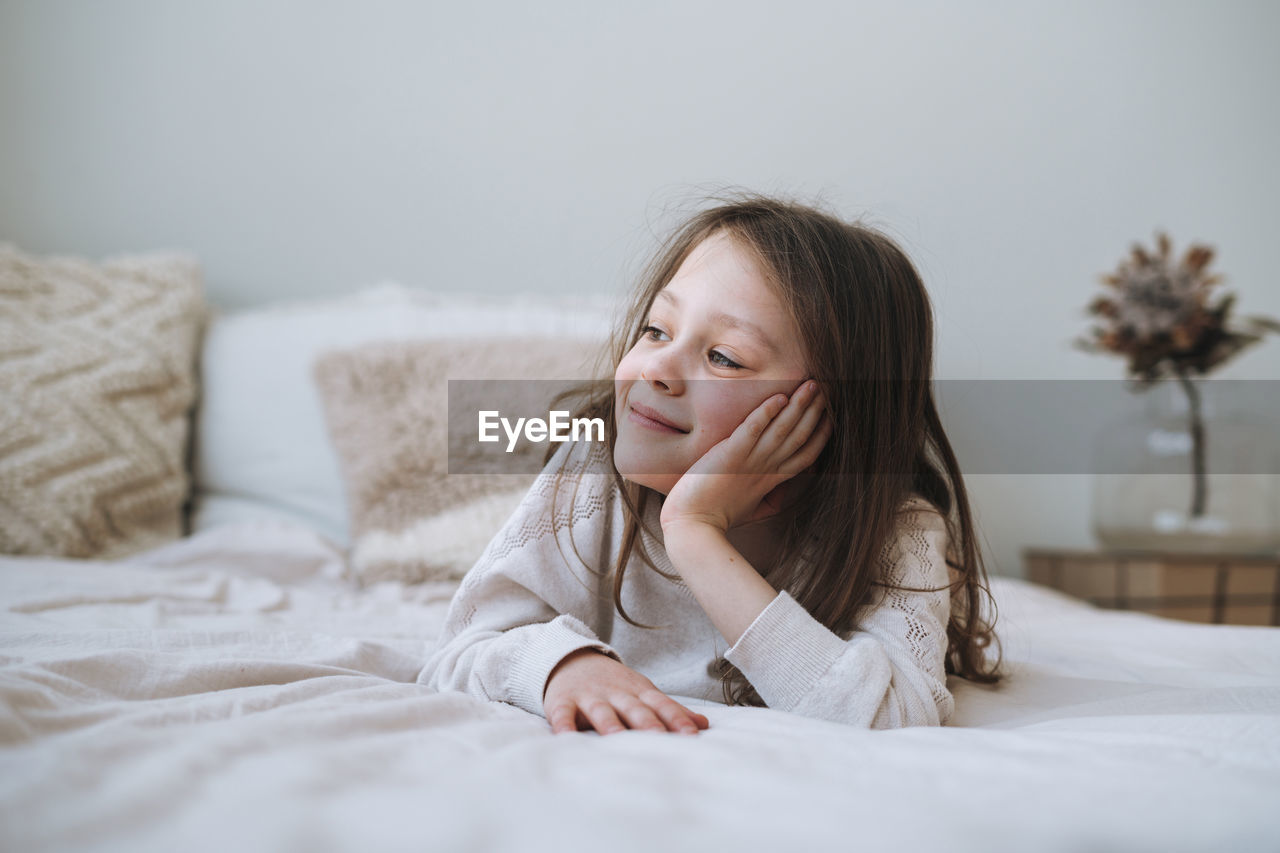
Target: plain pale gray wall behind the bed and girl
(1014,149)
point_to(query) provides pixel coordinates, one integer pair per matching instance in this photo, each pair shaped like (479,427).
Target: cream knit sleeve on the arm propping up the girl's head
(892,670)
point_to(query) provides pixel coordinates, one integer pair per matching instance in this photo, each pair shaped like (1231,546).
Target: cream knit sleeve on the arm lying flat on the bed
(525,606)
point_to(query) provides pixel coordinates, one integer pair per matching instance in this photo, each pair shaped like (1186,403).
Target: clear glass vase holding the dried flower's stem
(1169,481)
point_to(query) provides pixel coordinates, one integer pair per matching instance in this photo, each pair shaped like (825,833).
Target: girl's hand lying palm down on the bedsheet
(592,691)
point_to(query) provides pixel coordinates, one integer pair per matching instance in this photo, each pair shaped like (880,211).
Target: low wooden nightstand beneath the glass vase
(1201,589)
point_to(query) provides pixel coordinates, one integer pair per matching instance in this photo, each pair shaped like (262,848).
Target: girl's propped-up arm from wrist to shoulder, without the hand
(889,674)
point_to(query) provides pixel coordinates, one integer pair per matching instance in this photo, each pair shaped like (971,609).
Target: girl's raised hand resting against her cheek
(742,478)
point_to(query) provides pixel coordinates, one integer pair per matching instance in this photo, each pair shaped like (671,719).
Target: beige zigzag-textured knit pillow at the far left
(98,382)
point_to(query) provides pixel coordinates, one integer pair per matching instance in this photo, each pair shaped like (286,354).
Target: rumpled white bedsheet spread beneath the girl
(235,692)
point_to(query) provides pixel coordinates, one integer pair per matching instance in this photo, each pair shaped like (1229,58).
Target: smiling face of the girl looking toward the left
(717,345)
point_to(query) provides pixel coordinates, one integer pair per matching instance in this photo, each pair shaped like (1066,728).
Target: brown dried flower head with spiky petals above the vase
(1160,317)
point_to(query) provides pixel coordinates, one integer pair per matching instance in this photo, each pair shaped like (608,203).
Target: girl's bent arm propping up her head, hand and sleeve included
(888,674)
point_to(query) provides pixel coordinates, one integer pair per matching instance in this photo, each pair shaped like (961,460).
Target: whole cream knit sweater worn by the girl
(525,606)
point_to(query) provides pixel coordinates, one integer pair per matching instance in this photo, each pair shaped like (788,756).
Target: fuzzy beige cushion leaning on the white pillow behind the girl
(387,409)
